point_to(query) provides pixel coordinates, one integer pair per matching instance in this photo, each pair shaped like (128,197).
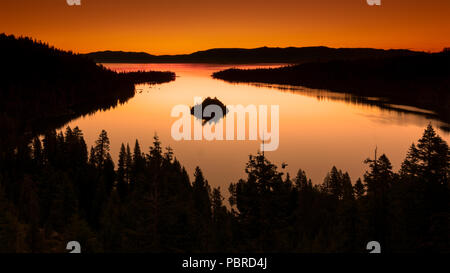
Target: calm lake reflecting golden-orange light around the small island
(317,128)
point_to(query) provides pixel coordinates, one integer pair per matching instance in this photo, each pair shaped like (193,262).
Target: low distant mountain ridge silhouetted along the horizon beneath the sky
(257,55)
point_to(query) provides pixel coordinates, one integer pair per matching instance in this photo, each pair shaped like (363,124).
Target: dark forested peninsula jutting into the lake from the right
(422,81)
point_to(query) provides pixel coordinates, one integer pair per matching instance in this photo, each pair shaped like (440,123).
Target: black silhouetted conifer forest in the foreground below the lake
(52,190)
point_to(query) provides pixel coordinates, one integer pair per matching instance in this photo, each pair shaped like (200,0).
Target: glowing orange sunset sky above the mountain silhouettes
(185,26)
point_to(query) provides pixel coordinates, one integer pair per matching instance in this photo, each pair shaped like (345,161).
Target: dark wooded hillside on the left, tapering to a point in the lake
(42,87)
